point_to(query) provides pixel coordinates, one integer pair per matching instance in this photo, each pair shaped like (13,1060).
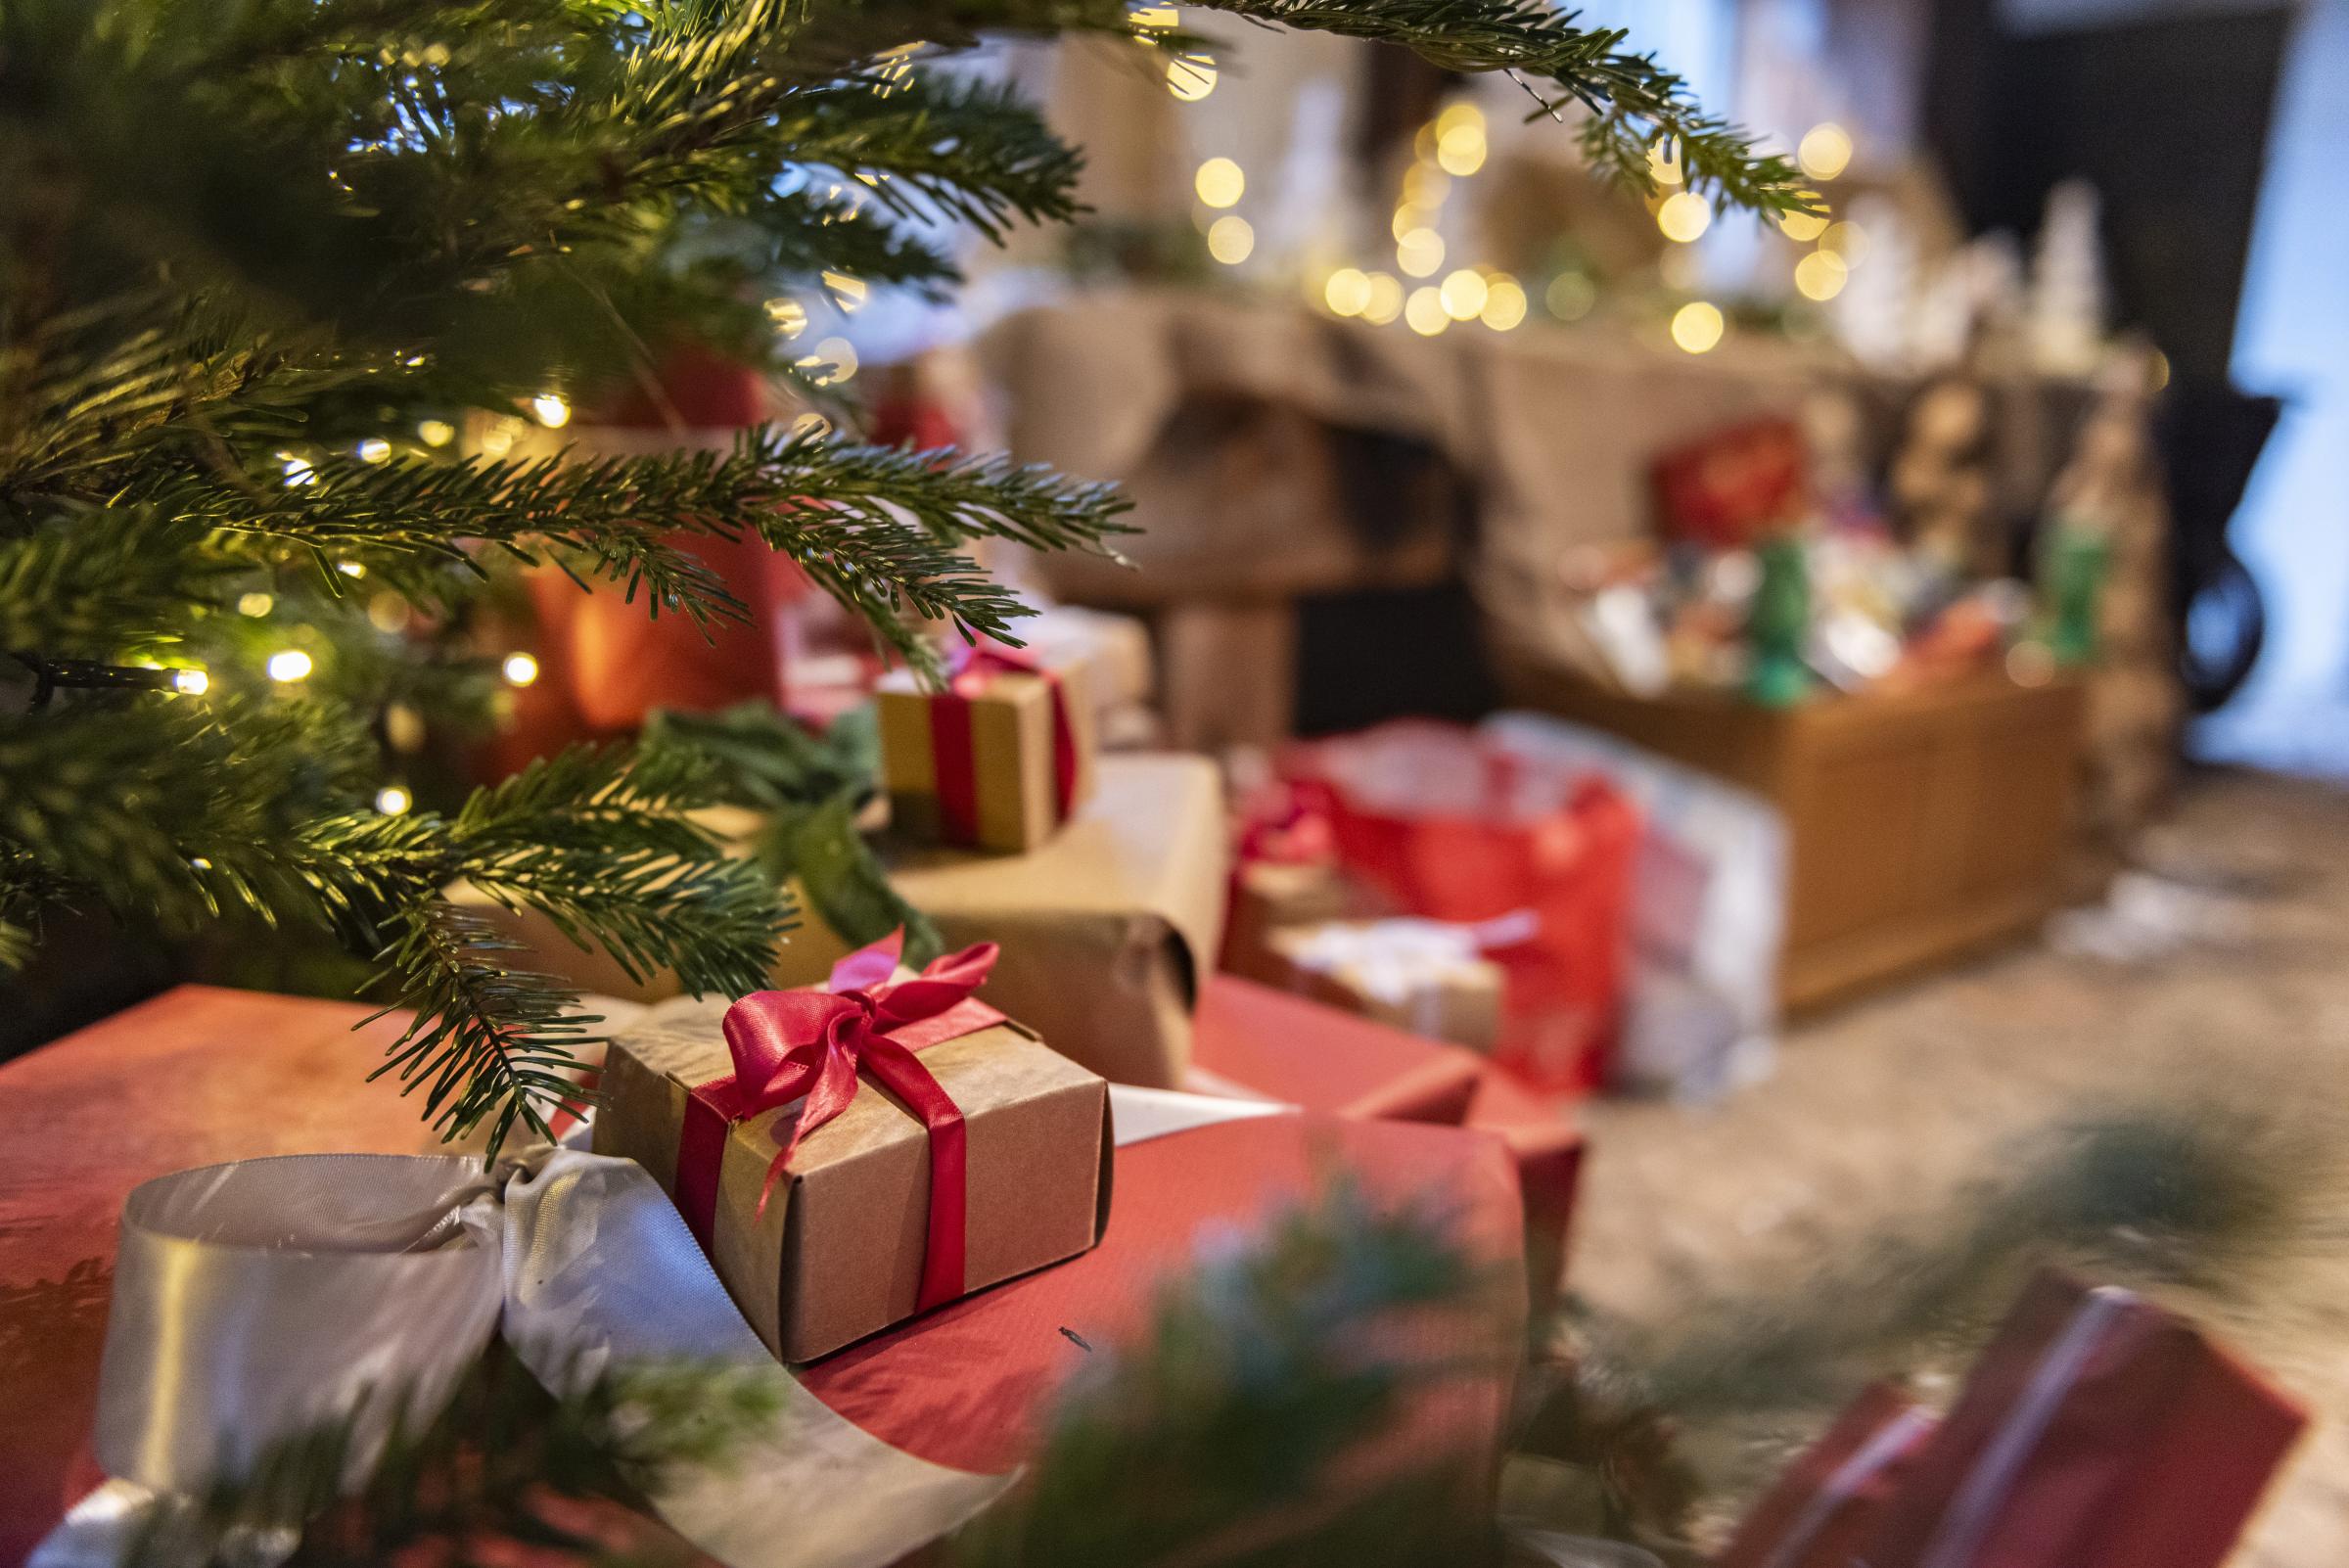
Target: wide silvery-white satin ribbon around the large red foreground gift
(264,1297)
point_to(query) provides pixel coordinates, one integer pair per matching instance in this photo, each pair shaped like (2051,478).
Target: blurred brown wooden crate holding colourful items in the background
(1920,825)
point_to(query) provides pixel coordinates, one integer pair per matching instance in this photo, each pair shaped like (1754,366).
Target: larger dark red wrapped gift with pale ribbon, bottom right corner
(2094,1433)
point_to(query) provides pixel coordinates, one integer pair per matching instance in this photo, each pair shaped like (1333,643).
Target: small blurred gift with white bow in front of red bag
(1420,975)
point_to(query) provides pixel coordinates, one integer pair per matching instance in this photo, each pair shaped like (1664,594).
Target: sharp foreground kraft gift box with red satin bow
(856,1154)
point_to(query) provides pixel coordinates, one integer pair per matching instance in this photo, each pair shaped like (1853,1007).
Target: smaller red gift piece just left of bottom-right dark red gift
(1829,1501)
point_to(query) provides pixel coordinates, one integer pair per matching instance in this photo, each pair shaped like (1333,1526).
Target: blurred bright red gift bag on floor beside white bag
(1455,830)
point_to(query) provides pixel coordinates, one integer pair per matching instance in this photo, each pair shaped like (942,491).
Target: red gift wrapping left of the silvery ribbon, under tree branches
(194,1076)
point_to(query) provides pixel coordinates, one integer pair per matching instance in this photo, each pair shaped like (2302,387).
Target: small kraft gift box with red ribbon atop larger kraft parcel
(997,759)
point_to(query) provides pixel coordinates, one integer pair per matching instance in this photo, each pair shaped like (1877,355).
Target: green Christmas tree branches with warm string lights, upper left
(262,257)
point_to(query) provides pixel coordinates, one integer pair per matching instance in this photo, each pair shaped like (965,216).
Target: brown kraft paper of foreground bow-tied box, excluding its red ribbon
(840,1250)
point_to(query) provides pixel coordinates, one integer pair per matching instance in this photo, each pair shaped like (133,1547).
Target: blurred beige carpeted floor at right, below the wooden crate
(1887,1114)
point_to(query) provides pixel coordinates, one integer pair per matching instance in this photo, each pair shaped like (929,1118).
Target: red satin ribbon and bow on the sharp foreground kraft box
(816,1043)
